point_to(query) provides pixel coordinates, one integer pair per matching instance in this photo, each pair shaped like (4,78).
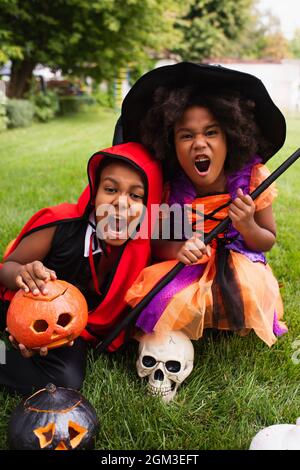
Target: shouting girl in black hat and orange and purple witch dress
(214,128)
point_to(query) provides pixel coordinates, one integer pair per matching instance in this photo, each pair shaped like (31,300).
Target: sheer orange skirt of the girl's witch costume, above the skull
(191,310)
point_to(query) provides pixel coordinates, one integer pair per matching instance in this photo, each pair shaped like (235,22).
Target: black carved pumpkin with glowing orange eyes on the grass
(54,418)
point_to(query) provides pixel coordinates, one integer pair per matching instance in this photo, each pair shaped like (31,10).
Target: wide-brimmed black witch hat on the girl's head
(139,99)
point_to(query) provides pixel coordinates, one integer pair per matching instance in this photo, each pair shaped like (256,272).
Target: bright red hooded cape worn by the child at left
(136,252)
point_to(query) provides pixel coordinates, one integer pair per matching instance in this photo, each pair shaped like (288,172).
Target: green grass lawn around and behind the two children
(238,385)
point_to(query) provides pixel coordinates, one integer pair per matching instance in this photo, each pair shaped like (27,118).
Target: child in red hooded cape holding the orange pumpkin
(99,252)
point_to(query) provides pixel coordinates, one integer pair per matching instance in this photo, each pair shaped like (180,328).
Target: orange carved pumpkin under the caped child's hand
(50,320)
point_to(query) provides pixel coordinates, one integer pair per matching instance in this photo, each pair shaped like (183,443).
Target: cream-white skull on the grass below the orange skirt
(166,359)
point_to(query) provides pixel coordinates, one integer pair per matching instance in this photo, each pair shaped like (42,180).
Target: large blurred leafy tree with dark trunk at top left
(87,37)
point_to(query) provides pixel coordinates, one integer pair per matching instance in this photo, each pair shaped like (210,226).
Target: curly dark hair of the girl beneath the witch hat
(234,113)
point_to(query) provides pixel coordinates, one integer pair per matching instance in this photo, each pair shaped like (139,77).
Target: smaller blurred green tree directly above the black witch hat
(210,26)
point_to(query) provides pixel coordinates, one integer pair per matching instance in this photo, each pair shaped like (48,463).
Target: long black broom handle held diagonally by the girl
(133,315)
